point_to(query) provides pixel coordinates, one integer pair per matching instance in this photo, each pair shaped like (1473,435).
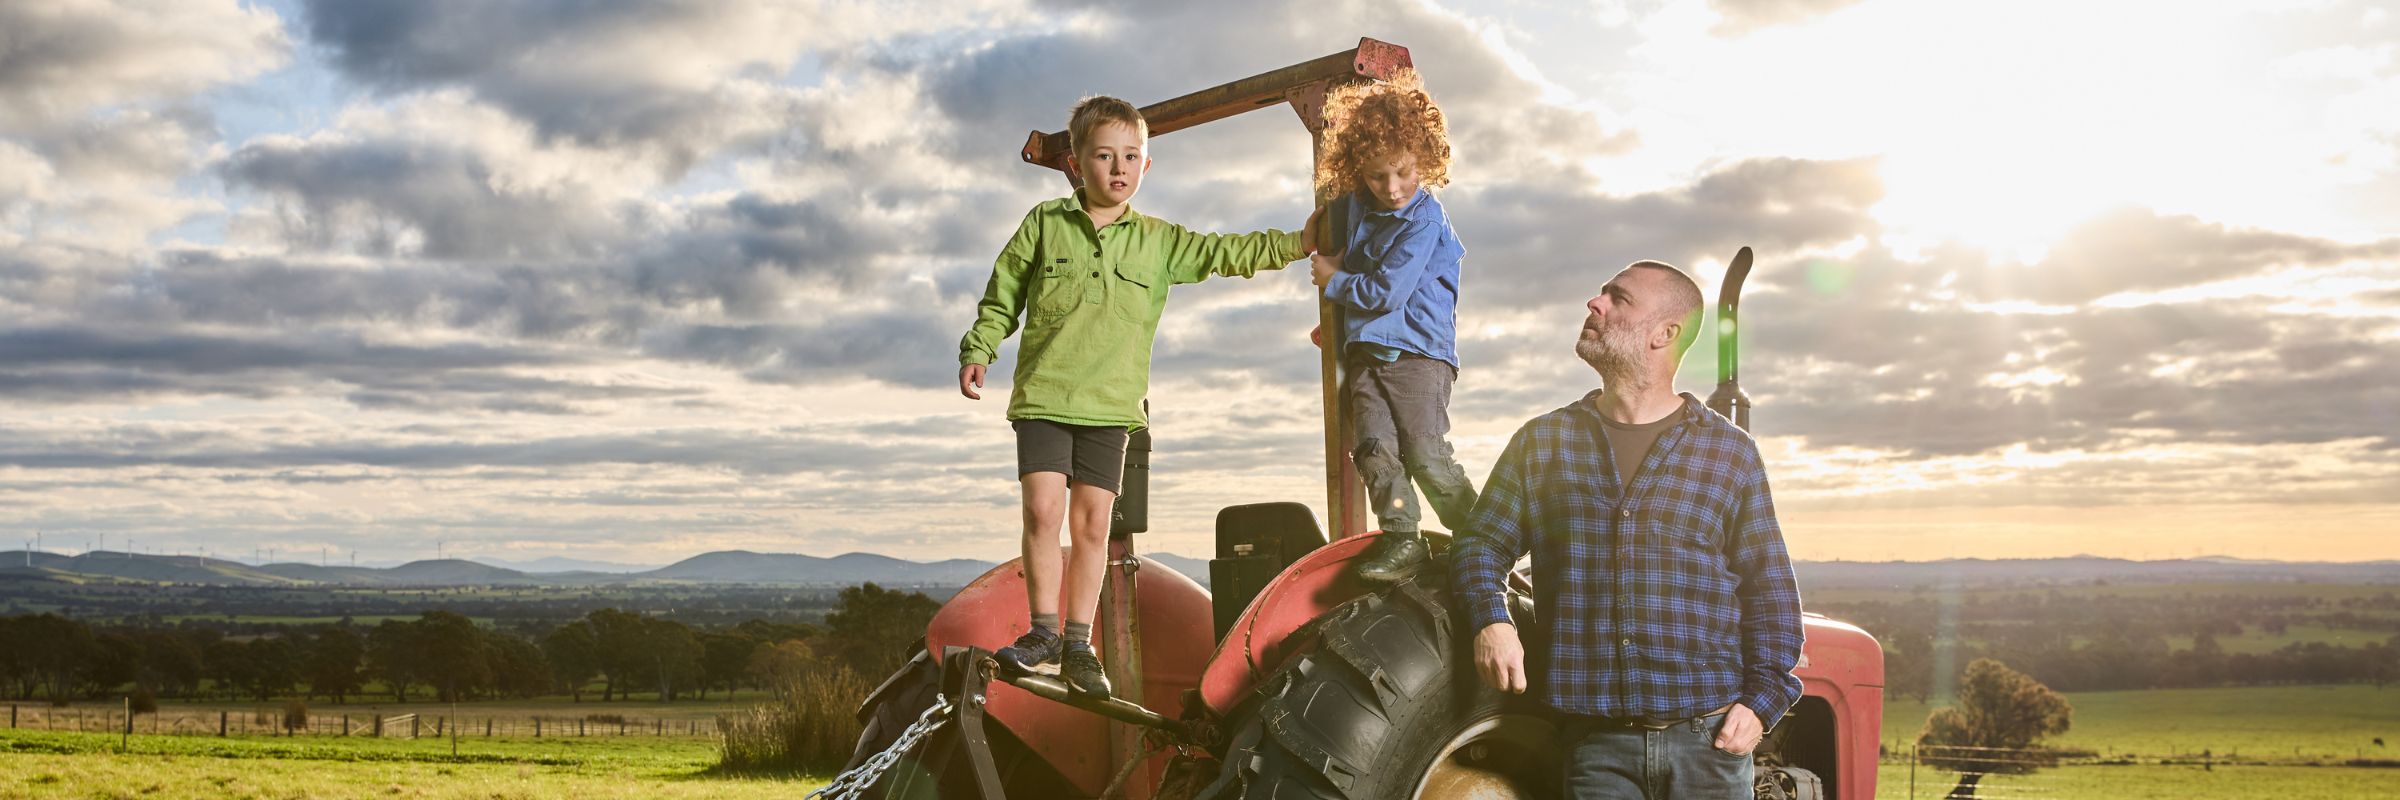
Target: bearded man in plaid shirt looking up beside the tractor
(1662,583)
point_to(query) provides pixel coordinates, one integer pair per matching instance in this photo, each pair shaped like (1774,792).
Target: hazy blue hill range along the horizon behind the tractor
(863,568)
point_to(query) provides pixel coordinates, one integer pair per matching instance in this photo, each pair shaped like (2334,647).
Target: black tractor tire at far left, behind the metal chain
(896,708)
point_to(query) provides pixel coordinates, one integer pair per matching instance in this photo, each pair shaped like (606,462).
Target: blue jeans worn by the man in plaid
(1681,763)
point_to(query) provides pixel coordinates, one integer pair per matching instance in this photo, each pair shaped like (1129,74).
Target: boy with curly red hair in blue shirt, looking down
(1398,282)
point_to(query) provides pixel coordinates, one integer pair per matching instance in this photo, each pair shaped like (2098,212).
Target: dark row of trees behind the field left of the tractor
(448,657)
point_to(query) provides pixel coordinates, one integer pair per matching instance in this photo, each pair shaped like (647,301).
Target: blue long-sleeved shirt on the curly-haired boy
(1400,277)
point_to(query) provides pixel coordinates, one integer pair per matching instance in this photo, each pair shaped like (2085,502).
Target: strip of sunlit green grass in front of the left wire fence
(83,765)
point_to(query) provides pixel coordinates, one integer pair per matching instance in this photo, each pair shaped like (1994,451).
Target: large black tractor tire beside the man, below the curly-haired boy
(1386,705)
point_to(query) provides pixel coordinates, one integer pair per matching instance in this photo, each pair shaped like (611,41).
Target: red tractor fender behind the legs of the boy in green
(1175,631)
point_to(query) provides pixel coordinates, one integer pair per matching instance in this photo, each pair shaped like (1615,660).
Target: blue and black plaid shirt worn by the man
(1669,599)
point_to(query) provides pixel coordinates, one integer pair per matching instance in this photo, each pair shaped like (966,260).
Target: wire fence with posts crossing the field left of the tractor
(373,724)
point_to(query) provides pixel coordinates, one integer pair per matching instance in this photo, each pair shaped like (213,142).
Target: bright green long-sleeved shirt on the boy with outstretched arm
(1091,304)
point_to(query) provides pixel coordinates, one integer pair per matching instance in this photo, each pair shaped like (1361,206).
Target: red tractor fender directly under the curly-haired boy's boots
(1264,638)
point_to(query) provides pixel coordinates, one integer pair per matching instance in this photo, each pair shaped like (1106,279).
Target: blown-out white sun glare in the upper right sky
(2008,124)
